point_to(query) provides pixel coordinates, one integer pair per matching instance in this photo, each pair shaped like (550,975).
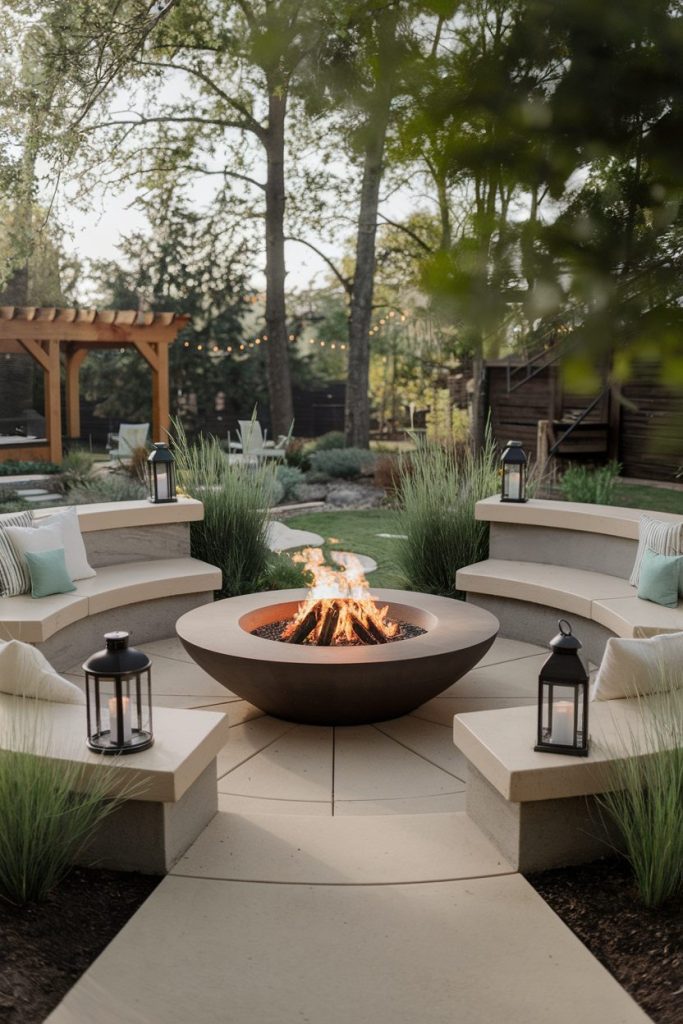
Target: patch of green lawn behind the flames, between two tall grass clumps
(358,532)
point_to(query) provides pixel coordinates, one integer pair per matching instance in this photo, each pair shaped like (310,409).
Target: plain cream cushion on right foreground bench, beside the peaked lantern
(633,668)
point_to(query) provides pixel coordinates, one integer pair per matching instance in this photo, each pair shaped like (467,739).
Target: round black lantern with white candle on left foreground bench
(118,692)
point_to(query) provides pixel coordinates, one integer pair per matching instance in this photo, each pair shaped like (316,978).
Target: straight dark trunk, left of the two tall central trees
(280,386)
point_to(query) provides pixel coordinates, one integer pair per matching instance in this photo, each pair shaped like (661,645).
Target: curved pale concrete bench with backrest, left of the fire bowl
(146,581)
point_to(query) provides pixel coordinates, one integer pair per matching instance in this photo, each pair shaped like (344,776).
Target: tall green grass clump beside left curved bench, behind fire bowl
(233,534)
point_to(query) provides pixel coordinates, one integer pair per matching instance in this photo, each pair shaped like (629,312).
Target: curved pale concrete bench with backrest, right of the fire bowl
(570,560)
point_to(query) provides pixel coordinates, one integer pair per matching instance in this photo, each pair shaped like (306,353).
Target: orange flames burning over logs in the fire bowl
(344,593)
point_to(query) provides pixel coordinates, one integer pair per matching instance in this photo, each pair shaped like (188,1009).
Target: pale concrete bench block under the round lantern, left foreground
(176,791)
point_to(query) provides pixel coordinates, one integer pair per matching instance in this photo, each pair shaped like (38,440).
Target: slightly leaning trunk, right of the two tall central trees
(358,382)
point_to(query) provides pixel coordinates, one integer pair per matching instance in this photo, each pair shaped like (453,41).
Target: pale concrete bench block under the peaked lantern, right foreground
(540,809)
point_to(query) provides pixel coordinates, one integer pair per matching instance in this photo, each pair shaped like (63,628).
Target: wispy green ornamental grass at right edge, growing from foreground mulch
(647,796)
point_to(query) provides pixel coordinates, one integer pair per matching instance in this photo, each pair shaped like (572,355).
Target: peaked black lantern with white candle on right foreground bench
(564,698)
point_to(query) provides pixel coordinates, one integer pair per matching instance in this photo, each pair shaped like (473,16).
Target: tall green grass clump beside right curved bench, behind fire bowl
(440,488)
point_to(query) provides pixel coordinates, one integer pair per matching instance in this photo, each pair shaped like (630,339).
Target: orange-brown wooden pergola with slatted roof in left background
(48,335)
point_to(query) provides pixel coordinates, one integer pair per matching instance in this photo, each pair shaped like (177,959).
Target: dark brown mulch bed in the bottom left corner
(46,948)
